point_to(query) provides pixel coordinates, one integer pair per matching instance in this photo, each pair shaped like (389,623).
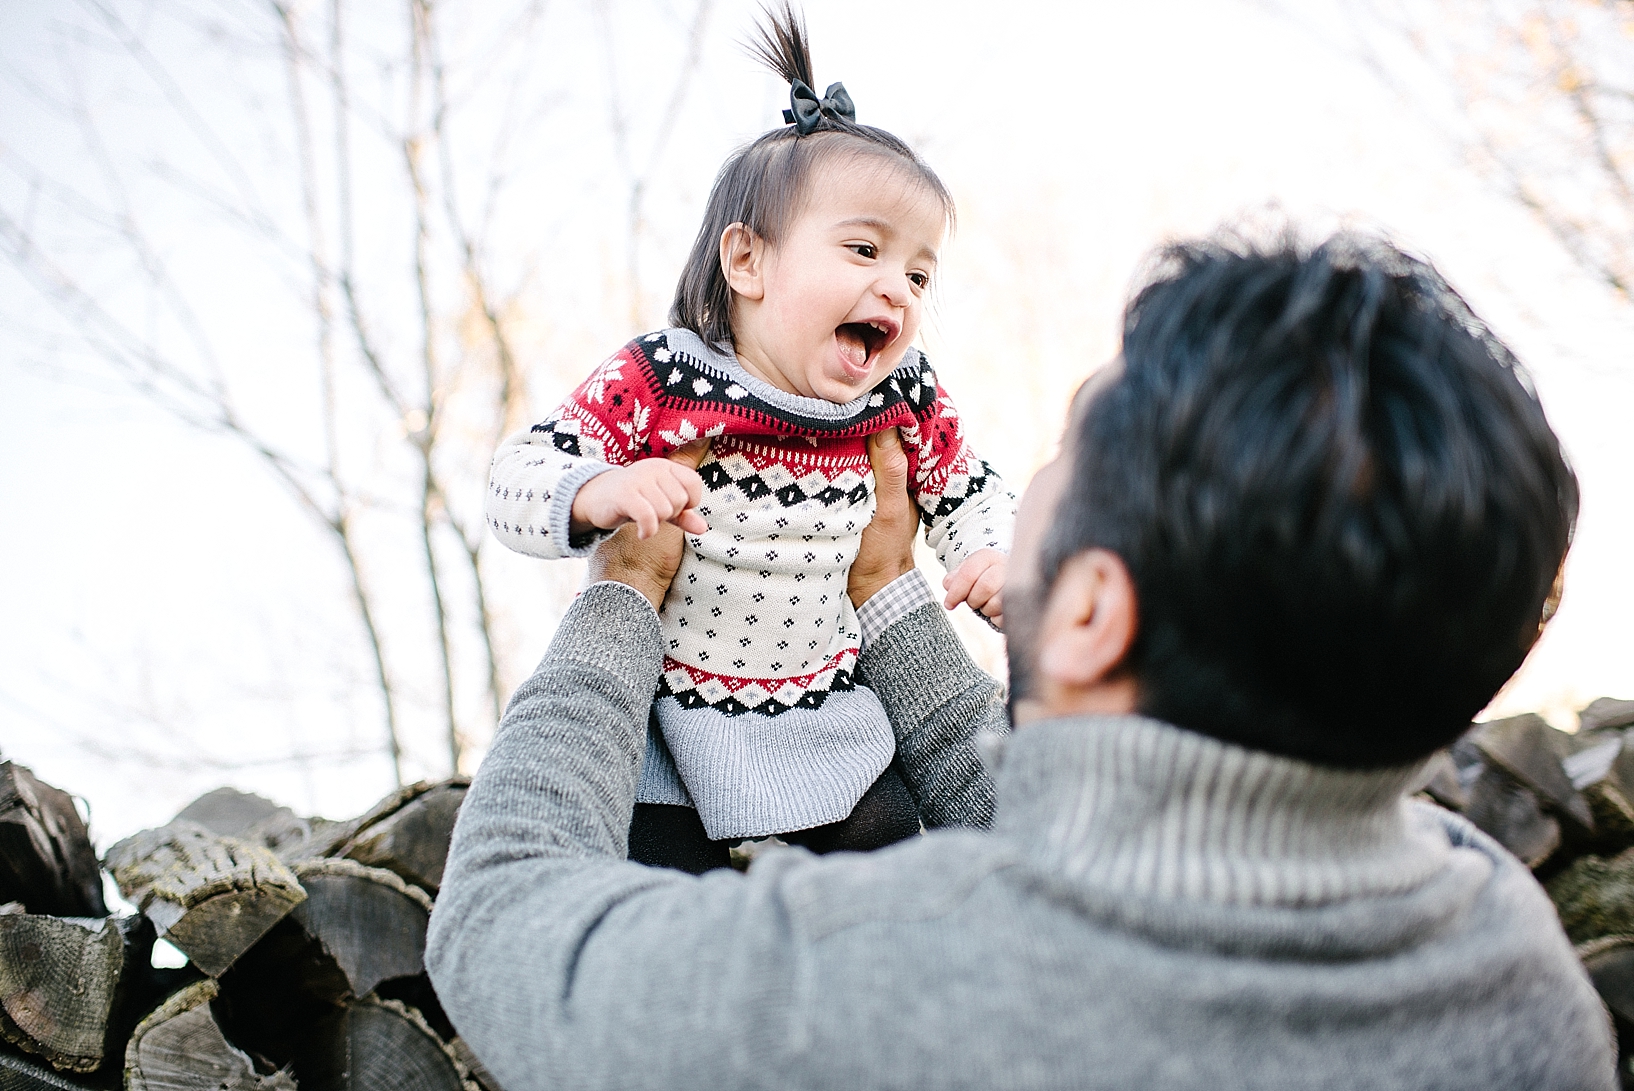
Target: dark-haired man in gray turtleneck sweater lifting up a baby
(1295,540)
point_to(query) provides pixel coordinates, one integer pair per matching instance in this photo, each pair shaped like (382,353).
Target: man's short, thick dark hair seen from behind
(1339,499)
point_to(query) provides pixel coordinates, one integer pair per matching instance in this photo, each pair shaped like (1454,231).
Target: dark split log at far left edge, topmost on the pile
(47,857)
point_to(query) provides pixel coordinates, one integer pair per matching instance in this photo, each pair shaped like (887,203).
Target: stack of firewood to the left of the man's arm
(305,943)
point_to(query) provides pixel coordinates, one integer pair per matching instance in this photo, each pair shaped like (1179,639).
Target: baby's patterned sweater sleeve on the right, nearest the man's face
(965,504)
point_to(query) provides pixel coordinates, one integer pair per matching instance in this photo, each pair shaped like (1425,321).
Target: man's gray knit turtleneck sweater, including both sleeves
(1151,909)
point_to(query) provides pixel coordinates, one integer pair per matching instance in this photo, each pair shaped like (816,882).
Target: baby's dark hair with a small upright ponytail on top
(764,184)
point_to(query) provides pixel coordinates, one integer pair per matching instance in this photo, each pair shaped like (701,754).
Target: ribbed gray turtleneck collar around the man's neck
(1143,808)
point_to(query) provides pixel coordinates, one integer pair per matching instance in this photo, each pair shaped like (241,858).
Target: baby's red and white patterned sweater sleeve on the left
(535,476)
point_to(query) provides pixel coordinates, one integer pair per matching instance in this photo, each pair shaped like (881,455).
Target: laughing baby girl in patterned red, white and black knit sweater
(790,345)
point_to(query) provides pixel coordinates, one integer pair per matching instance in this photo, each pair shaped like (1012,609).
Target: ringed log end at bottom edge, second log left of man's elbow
(181,1048)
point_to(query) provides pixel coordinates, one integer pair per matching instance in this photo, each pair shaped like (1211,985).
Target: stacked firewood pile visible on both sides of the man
(306,938)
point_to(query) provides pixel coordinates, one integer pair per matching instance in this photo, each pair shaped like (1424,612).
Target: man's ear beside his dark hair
(1091,621)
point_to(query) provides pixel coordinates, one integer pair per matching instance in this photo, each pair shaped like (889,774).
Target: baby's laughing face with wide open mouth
(844,293)
